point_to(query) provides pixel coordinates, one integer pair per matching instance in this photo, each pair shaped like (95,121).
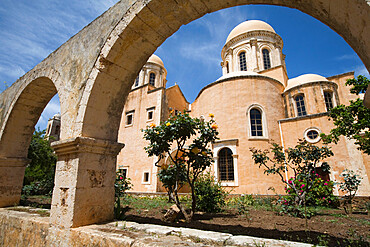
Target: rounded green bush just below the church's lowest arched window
(210,195)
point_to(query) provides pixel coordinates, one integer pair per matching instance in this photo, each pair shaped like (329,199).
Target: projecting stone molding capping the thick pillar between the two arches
(86,145)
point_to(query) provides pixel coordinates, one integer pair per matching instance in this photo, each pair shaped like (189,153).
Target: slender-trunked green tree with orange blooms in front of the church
(191,138)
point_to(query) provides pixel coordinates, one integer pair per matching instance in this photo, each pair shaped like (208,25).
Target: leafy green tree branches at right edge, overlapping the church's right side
(352,121)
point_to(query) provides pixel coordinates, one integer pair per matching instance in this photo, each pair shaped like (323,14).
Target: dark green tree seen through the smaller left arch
(43,160)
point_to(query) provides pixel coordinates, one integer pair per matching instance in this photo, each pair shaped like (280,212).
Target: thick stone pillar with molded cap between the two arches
(84,181)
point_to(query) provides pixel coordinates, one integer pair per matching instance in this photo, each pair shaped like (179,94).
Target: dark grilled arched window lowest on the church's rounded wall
(226,165)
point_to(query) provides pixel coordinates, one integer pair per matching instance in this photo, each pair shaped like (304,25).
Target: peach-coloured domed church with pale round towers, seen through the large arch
(254,104)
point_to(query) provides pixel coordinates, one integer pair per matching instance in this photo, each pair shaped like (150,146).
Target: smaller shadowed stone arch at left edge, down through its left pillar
(17,128)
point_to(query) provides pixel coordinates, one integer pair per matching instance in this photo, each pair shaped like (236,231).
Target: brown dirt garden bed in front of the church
(332,227)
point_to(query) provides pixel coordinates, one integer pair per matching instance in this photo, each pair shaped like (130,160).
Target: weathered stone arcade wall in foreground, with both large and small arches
(93,73)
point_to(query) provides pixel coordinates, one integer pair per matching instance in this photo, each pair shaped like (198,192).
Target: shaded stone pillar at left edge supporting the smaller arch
(11,180)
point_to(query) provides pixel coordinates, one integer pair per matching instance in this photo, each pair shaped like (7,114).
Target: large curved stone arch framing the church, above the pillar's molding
(147,24)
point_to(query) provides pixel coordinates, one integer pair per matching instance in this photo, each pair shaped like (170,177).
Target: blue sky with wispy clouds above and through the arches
(31,30)
